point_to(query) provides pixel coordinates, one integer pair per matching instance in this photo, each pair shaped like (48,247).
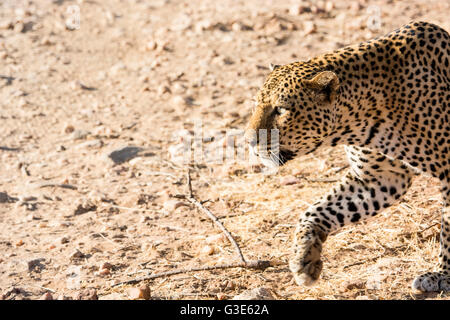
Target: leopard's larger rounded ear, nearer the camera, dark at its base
(325,85)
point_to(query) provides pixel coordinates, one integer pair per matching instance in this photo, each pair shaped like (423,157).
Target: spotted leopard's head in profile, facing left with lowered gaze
(298,101)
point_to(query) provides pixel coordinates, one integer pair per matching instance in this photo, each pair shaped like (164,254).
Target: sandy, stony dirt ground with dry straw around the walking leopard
(95,112)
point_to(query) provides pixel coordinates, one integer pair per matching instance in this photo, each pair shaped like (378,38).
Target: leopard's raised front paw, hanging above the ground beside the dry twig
(306,265)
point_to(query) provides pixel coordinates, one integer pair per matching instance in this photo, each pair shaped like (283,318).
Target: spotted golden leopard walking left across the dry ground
(387,101)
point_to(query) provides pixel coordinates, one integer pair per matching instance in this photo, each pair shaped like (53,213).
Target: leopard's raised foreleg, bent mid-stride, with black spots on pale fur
(373,183)
